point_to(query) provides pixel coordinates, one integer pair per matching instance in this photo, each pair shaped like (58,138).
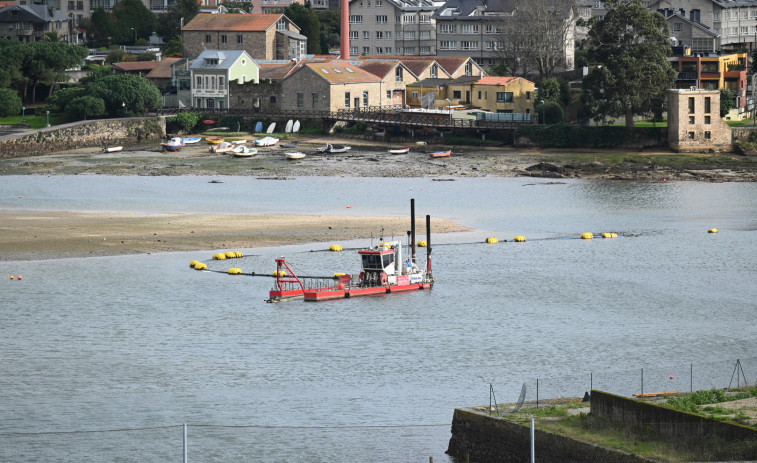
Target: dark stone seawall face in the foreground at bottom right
(480,438)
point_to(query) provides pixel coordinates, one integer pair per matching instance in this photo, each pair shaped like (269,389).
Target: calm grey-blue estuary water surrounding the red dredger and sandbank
(120,344)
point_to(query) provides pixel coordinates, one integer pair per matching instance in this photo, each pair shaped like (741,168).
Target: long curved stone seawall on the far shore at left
(83,134)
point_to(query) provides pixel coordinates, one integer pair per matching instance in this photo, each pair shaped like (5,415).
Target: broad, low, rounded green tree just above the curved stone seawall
(125,94)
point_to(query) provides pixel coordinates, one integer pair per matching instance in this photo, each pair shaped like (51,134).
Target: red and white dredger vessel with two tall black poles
(384,270)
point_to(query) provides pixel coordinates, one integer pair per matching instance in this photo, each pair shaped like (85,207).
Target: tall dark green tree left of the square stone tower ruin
(632,45)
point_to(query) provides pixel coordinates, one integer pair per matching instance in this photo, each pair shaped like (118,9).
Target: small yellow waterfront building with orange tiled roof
(503,94)
